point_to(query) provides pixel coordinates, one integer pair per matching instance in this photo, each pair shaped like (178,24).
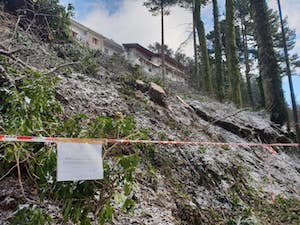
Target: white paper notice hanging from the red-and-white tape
(77,161)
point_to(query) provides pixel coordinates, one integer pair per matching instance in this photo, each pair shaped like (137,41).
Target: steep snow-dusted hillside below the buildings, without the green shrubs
(174,184)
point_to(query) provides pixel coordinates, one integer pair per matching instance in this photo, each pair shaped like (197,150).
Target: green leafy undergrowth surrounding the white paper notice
(29,107)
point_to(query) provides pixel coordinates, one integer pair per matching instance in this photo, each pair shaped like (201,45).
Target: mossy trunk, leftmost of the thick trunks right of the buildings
(203,48)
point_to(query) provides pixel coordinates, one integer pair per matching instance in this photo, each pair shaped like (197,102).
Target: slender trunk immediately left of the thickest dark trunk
(246,56)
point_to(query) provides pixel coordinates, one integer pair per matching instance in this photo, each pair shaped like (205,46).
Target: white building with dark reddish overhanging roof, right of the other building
(151,62)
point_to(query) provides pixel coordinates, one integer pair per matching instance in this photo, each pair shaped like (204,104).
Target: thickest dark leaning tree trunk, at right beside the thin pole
(268,64)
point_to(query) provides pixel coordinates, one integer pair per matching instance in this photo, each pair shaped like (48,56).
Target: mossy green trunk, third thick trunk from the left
(231,56)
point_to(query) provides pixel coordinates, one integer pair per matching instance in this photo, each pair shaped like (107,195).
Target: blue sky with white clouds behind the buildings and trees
(129,21)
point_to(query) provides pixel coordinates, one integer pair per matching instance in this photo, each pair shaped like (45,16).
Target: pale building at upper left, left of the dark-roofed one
(94,40)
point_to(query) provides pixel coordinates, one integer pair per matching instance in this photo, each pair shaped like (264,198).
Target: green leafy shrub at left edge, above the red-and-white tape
(31,107)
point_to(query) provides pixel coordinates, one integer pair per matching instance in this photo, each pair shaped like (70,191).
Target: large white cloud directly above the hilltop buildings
(132,23)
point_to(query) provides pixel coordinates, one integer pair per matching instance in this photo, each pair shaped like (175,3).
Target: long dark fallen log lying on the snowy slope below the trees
(245,131)
